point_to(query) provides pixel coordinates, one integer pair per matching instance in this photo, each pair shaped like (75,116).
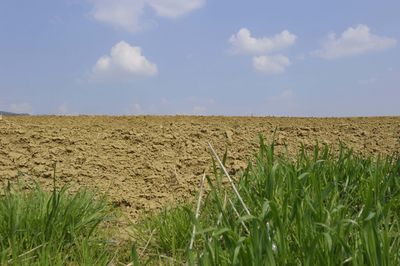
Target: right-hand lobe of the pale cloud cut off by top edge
(175,8)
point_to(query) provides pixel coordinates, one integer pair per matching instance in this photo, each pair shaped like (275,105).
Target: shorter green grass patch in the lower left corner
(42,228)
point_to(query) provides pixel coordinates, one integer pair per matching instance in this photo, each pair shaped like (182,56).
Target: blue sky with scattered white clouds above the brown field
(200,57)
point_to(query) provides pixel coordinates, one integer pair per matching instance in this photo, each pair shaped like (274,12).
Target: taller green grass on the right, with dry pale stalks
(318,208)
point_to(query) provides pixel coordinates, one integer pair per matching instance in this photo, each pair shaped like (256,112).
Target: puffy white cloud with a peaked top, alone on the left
(124,62)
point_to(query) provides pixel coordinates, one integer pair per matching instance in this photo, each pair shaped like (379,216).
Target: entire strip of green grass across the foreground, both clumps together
(321,207)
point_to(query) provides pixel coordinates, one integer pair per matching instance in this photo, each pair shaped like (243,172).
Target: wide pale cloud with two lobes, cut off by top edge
(128,14)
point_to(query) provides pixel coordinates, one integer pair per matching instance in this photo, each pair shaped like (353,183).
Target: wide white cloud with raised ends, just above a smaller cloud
(243,43)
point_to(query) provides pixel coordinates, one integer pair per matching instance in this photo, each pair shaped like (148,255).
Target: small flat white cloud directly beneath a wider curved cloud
(274,64)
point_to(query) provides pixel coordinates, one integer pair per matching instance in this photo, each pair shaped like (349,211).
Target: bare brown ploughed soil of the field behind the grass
(145,162)
